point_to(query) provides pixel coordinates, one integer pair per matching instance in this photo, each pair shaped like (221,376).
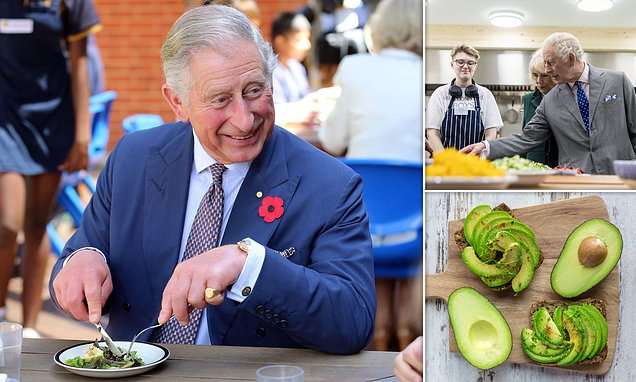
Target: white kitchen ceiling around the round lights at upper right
(537,13)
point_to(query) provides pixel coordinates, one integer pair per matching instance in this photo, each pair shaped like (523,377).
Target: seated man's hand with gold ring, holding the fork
(216,269)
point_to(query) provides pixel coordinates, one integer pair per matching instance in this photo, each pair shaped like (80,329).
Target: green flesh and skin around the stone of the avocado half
(568,270)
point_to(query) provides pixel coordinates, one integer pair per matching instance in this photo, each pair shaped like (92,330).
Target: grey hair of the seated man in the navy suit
(215,27)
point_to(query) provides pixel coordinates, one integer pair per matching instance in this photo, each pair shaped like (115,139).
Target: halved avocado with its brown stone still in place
(593,240)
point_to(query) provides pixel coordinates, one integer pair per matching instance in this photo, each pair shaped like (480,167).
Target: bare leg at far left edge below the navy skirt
(12,197)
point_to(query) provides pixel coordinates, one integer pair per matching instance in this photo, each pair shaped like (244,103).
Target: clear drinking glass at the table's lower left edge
(10,349)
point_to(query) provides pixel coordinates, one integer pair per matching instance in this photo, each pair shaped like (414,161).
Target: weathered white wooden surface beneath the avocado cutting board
(442,365)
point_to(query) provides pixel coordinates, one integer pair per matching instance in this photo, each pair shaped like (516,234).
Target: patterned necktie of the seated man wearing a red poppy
(204,235)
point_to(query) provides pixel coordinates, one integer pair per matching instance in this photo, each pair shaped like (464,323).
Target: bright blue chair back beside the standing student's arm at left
(100,105)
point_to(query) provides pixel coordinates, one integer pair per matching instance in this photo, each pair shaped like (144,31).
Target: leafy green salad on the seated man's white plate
(100,357)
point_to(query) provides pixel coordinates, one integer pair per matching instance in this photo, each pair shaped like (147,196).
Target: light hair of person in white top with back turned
(397,24)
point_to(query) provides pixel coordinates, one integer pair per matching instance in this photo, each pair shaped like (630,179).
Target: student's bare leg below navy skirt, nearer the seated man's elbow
(41,190)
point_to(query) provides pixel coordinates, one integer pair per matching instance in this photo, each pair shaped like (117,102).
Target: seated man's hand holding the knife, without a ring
(83,285)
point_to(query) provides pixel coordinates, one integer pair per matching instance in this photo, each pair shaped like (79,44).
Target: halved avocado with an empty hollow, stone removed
(482,333)
